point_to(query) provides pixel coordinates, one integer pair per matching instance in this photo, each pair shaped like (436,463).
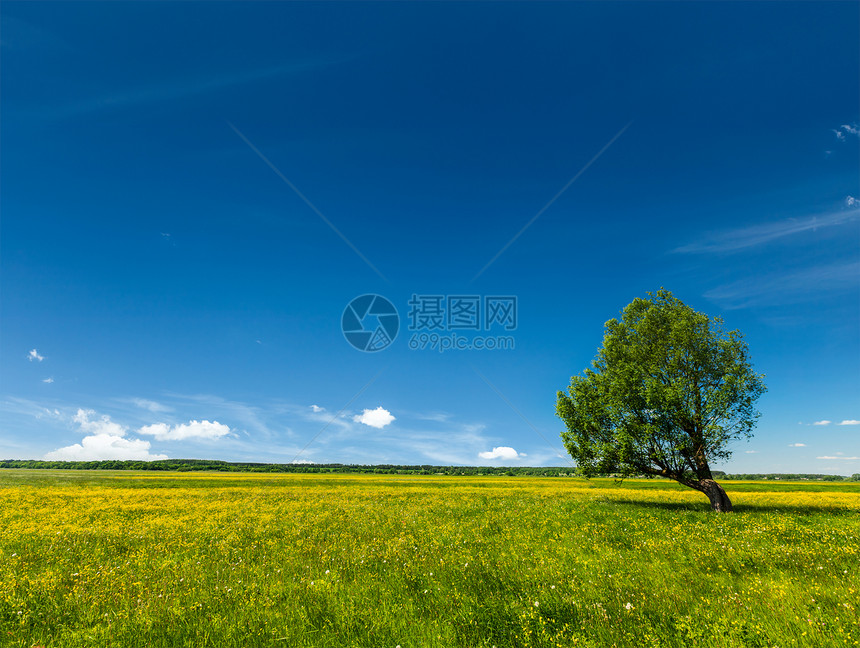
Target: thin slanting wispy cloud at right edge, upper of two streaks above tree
(748,237)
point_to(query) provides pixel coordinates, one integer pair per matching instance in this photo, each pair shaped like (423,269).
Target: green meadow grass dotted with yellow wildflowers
(189,559)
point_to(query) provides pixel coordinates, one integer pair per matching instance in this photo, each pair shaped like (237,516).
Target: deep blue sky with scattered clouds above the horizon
(193,192)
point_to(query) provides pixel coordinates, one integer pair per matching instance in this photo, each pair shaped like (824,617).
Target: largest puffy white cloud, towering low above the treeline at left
(104,441)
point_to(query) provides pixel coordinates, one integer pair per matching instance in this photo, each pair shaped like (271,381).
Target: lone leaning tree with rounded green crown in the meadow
(667,393)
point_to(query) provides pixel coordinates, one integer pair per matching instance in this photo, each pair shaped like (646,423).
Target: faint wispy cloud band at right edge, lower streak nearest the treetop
(791,288)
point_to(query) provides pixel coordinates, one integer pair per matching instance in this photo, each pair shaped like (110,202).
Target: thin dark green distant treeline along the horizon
(192,465)
